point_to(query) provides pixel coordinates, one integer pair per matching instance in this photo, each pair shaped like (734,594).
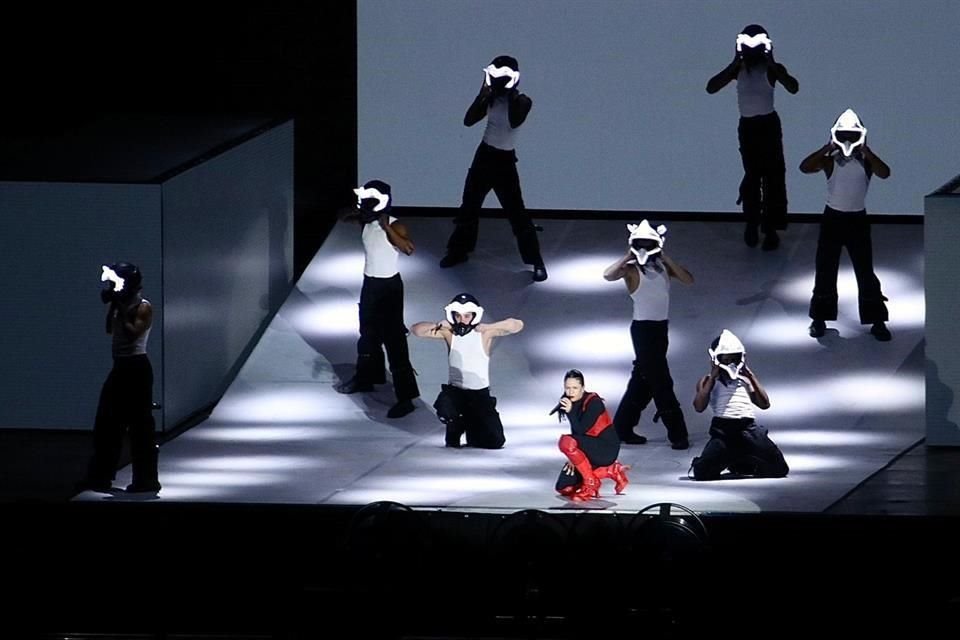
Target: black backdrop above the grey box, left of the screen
(64,65)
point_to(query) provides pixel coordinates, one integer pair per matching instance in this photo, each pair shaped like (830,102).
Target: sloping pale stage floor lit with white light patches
(842,406)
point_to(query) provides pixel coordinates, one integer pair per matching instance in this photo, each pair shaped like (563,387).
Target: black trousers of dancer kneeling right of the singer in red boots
(742,446)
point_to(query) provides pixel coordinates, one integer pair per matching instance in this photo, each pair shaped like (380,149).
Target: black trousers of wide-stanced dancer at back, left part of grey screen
(495,169)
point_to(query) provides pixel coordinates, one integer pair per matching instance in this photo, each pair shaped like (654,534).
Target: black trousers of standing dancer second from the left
(381,325)
